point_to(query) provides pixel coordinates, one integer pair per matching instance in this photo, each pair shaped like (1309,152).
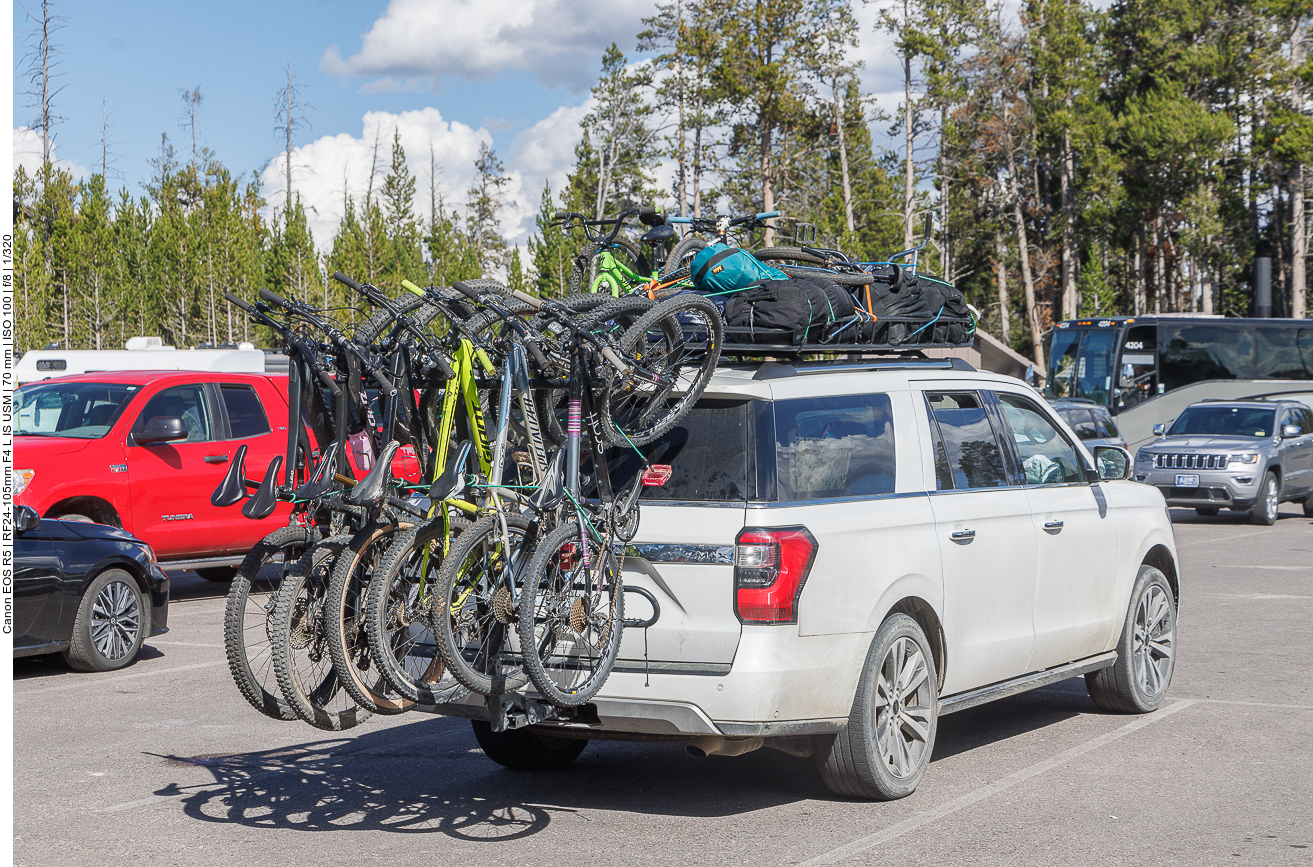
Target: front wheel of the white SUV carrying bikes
(1147,652)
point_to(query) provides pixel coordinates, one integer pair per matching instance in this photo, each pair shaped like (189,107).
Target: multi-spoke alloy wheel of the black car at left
(111,626)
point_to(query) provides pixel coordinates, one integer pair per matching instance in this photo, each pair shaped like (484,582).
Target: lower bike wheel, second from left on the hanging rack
(307,676)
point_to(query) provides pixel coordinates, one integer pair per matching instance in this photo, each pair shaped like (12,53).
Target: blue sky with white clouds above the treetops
(446,74)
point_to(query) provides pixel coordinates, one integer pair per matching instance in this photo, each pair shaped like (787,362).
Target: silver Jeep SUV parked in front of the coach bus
(1240,455)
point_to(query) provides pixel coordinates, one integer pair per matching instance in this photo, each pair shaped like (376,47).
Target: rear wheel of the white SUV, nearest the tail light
(886,748)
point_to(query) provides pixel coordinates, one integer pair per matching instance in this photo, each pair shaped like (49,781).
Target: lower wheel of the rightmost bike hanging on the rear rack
(570,630)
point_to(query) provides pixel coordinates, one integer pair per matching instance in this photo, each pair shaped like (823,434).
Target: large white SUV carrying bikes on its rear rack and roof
(845,552)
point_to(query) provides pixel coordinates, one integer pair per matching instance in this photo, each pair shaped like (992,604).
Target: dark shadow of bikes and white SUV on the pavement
(405,780)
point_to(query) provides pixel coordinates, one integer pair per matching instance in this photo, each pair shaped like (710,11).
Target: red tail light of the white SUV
(771,564)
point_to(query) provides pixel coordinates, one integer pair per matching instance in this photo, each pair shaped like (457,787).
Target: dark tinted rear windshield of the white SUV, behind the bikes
(707,454)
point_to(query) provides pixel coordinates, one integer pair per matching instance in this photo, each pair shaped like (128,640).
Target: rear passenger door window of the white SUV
(967,454)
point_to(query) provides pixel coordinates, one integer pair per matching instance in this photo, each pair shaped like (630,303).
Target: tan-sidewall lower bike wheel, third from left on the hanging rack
(349,644)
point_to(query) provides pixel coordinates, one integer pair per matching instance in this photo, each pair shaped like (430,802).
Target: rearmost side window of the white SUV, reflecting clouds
(834,447)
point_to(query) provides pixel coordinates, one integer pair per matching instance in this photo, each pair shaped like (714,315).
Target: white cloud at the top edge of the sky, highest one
(557,41)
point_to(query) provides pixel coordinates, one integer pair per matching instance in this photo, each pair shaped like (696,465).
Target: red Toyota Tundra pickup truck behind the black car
(77,458)
